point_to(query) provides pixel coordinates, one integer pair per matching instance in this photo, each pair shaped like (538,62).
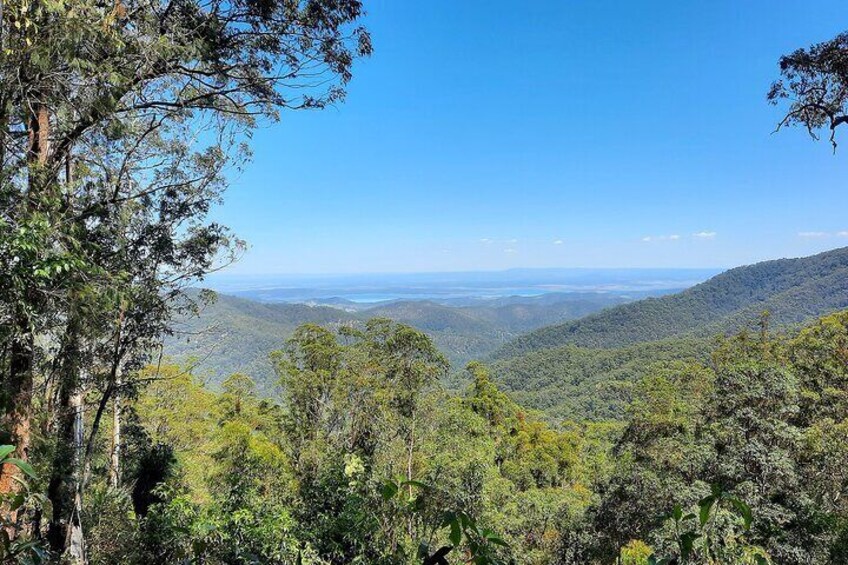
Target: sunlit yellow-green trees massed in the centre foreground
(365,460)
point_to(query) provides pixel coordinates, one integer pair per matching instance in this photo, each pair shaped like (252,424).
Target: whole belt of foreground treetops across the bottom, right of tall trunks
(366,455)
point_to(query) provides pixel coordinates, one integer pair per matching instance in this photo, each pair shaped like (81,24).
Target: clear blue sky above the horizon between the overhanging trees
(595,133)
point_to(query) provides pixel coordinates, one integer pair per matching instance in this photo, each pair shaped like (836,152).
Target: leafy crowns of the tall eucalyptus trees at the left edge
(119,122)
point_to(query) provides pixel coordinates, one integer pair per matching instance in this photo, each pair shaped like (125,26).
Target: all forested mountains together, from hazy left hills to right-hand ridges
(574,355)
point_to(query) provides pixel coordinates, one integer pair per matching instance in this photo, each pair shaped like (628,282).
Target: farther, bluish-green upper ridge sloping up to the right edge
(791,290)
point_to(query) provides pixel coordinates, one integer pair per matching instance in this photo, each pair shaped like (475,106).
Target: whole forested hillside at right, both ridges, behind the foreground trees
(585,369)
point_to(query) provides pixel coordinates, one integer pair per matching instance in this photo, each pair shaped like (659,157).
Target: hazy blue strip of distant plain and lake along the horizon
(374,288)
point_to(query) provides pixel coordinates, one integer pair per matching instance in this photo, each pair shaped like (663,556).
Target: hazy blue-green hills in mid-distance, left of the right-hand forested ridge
(236,335)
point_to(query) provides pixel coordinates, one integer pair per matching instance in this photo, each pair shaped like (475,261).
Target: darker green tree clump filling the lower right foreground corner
(736,424)
